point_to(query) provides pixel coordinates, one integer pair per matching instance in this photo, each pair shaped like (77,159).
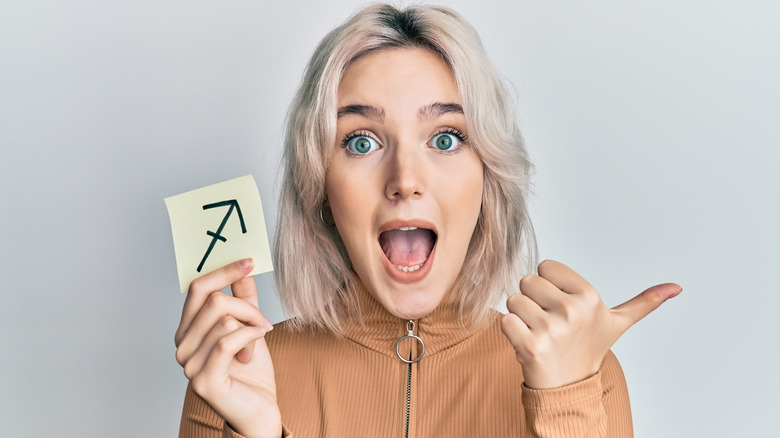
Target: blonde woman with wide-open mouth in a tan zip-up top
(402,220)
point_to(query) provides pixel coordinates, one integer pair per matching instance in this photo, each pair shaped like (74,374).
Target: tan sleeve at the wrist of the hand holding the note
(199,420)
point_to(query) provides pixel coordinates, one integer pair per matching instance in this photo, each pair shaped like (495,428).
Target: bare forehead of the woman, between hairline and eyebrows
(394,77)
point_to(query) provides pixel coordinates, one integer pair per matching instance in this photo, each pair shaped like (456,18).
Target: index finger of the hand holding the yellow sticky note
(205,285)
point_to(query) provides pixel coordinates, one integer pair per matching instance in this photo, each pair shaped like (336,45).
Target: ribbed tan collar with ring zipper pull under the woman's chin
(380,330)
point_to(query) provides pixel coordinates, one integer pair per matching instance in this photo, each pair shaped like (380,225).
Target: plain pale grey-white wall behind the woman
(653,127)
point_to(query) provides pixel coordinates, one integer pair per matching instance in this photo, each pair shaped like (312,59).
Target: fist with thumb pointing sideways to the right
(560,328)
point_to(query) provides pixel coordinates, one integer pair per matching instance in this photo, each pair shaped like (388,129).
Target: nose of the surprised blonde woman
(405,174)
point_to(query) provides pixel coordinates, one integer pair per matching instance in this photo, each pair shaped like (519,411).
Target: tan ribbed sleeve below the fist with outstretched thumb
(597,407)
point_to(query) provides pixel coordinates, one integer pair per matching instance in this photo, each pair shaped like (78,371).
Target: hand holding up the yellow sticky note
(220,344)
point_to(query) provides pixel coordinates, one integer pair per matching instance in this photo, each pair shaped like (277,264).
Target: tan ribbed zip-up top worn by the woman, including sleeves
(467,383)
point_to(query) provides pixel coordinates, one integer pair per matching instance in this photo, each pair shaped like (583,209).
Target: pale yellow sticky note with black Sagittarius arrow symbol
(217,225)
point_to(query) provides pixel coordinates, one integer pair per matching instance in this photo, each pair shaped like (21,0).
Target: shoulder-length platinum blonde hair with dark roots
(312,265)
